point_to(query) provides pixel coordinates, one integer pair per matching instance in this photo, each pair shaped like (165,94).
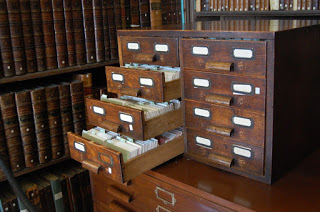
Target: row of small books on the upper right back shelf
(255,5)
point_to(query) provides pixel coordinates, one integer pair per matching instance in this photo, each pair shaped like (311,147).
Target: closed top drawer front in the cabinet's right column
(232,56)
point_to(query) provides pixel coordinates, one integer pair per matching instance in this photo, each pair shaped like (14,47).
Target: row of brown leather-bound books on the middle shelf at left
(34,122)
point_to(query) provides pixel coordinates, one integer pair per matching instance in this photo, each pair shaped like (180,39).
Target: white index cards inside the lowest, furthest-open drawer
(129,147)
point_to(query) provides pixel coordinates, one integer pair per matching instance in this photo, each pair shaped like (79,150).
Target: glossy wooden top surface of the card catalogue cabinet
(259,29)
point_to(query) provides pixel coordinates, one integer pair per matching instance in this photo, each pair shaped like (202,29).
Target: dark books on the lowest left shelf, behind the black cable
(62,188)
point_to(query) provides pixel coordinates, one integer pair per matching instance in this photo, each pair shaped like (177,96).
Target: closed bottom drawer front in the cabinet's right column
(225,152)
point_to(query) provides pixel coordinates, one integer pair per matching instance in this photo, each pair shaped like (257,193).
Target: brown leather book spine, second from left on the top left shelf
(13,7)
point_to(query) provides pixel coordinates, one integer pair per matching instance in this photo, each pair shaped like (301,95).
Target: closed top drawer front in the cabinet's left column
(150,50)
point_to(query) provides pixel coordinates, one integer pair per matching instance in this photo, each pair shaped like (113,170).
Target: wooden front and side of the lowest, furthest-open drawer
(104,160)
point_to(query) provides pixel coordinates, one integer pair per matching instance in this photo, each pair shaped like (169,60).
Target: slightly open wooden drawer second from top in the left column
(142,83)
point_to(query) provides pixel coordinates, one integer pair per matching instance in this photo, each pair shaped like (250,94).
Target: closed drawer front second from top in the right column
(226,90)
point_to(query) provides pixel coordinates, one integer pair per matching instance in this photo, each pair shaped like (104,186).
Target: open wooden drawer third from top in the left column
(129,121)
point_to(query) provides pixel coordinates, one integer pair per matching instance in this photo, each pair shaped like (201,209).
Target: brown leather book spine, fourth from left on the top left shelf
(48,32)
